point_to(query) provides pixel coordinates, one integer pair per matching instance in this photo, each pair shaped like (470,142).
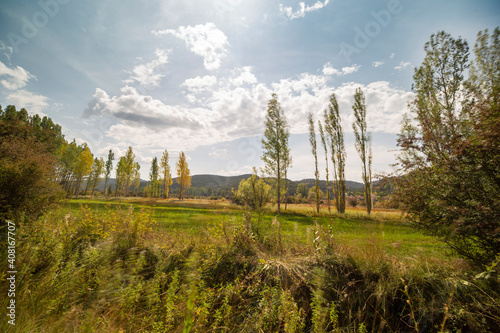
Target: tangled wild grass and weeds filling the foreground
(117,271)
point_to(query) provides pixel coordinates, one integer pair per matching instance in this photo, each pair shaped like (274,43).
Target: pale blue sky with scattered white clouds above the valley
(196,76)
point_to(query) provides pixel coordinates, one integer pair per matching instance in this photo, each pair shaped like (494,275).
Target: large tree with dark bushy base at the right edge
(450,150)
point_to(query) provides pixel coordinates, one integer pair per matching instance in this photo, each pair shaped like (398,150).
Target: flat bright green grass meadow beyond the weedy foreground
(355,229)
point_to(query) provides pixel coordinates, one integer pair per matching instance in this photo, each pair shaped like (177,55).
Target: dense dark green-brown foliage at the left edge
(28,147)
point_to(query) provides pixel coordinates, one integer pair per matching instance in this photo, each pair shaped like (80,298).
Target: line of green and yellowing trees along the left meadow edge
(38,166)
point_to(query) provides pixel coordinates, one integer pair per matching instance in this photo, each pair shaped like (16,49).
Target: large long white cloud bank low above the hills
(235,108)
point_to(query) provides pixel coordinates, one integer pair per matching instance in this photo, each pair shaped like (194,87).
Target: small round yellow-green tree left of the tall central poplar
(253,192)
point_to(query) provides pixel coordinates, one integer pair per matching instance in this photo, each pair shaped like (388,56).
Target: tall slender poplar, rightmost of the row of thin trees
(363,145)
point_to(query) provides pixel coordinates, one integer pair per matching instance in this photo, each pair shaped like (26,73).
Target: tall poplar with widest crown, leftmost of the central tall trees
(276,154)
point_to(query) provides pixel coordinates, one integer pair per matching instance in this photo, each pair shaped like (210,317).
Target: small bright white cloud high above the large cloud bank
(204,40)
